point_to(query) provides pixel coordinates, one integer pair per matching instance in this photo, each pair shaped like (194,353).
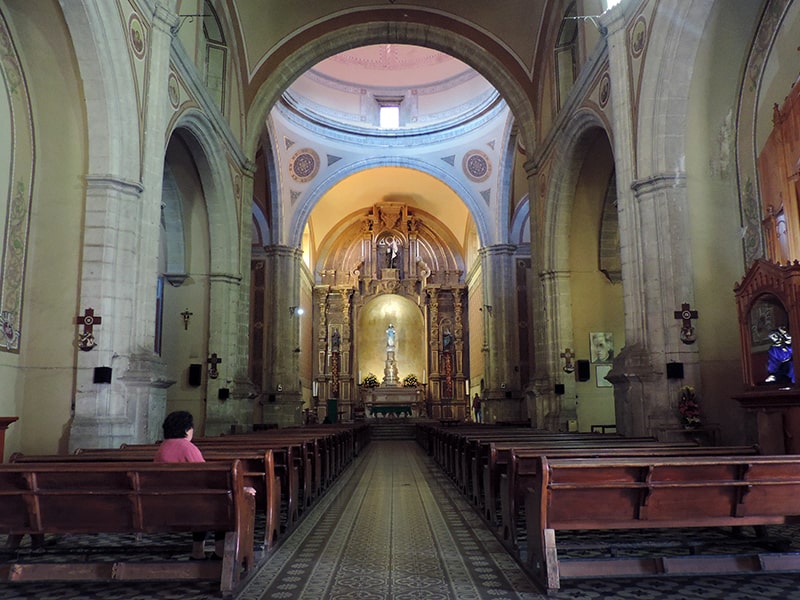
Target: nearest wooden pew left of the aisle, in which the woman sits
(128,498)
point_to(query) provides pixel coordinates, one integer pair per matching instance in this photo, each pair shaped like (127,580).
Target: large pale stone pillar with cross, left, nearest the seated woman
(119,278)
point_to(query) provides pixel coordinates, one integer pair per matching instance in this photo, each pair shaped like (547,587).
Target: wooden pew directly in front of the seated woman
(258,471)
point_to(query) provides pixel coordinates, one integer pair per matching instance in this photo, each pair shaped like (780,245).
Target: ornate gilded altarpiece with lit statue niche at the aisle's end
(388,315)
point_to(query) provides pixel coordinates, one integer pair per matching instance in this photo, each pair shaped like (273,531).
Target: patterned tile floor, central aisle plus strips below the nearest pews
(394,527)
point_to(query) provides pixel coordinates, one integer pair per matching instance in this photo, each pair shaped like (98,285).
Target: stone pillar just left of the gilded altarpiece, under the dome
(282,397)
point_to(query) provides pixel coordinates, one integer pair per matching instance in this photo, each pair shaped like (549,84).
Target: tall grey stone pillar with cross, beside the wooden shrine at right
(656,266)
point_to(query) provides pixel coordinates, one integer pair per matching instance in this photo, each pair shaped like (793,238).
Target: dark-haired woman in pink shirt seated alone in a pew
(178,447)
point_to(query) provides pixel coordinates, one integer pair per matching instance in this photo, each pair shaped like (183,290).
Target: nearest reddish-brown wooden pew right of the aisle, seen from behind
(658,492)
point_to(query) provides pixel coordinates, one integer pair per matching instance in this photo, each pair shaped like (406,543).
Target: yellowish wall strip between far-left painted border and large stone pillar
(54,244)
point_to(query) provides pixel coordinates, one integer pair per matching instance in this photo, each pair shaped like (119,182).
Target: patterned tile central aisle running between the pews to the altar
(392,527)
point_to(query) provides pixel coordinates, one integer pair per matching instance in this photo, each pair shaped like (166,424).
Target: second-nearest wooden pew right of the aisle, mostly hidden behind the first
(524,463)
